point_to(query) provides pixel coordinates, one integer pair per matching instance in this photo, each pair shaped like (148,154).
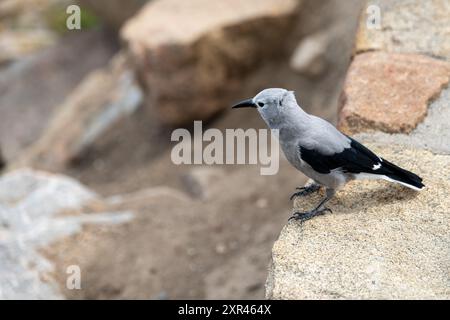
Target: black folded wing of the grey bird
(354,159)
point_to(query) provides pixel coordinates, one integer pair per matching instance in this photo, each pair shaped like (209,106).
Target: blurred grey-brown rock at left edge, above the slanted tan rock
(31,89)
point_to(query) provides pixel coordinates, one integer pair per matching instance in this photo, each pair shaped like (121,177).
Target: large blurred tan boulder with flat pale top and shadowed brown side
(190,65)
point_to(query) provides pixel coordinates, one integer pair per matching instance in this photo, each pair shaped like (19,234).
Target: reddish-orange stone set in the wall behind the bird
(389,91)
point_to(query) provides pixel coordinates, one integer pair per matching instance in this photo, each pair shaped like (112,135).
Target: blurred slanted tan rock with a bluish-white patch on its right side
(102,99)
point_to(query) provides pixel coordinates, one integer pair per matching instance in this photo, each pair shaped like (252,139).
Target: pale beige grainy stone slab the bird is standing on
(382,241)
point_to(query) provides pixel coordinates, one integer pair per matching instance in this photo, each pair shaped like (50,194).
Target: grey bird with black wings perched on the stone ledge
(320,151)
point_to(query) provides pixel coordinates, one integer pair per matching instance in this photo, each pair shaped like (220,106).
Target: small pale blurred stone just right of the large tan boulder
(309,56)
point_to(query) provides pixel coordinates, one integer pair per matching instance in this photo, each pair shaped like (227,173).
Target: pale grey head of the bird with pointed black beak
(273,104)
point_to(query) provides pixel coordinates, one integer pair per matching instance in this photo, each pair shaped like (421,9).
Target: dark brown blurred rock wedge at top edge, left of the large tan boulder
(114,12)
